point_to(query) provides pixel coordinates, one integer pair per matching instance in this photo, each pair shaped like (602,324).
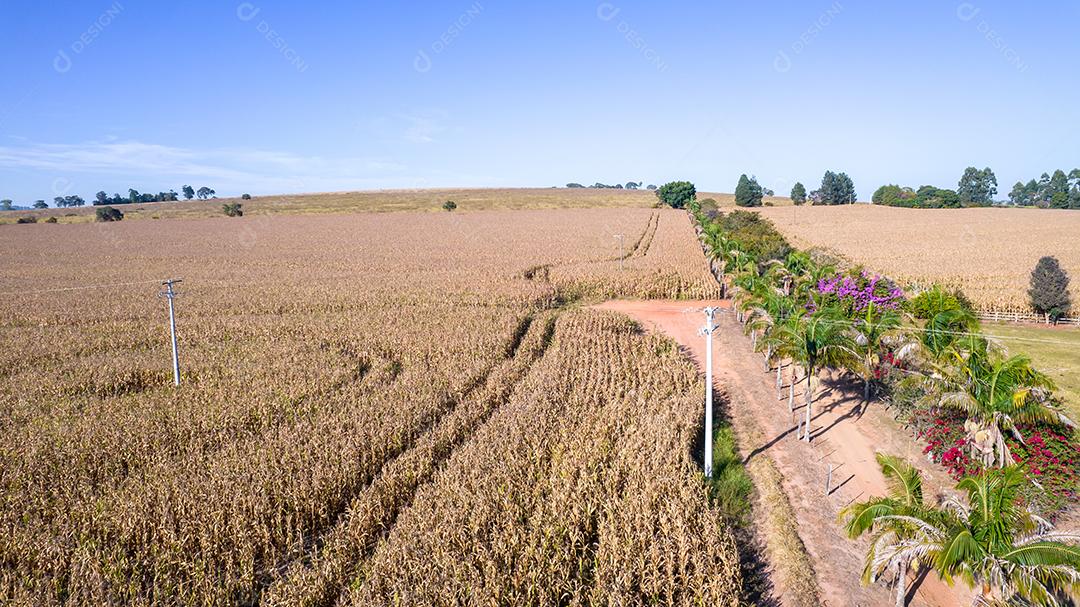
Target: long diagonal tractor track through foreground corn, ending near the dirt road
(337,554)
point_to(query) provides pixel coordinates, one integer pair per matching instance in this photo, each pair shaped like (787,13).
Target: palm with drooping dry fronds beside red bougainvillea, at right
(996,393)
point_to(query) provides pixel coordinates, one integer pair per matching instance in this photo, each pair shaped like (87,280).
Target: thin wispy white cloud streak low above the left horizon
(228,169)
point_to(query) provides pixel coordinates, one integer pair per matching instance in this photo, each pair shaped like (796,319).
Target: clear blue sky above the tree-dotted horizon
(271,97)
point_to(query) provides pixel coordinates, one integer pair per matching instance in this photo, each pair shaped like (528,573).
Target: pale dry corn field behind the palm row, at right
(988,253)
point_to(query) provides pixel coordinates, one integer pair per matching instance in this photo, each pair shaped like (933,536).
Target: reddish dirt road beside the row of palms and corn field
(844,435)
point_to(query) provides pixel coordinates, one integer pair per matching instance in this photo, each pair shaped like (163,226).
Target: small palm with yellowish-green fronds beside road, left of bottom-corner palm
(882,517)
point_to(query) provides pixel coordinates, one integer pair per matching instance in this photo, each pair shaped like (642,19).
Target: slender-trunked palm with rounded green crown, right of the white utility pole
(816,342)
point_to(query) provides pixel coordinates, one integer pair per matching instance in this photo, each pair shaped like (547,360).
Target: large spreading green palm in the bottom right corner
(991,543)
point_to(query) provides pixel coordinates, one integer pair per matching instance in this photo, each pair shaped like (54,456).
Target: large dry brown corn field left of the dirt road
(376,410)
